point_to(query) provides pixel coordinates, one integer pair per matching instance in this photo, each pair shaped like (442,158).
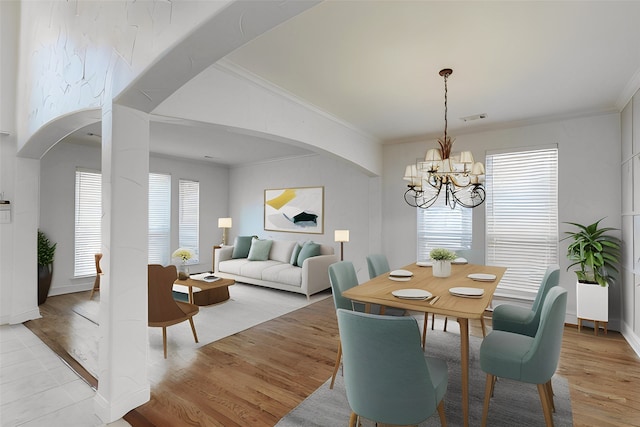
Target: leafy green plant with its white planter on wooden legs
(596,253)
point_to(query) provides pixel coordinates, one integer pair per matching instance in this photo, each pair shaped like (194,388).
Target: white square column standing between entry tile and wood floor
(122,379)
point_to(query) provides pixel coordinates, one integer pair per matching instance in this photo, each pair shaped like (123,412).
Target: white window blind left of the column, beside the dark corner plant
(88,214)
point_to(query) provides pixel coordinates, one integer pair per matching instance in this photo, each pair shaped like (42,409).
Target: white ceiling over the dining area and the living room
(375,64)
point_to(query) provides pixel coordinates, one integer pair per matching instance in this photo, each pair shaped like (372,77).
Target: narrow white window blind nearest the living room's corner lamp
(189,217)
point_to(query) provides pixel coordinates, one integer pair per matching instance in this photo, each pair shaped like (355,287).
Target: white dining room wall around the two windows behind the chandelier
(589,185)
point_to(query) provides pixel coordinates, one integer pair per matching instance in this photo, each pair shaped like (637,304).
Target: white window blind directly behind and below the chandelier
(439,226)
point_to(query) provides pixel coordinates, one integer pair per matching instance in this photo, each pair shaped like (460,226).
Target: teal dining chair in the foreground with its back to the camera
(387,377)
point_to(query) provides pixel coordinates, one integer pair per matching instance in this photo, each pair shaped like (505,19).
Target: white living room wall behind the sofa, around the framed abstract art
(348,196)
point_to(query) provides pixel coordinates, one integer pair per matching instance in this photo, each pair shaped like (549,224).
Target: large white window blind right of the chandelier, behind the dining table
(522,218)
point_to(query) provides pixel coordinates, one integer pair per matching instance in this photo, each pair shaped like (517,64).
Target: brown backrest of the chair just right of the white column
(162,306)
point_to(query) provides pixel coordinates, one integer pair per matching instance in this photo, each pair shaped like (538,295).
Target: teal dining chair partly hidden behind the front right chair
(522,320)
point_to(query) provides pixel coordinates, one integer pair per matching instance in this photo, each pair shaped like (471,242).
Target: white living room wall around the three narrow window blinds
(57,203)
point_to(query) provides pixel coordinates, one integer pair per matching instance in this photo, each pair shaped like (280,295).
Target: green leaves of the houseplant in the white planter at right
(594,251)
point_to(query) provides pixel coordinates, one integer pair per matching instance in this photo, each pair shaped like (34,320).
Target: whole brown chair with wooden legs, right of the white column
(163,309)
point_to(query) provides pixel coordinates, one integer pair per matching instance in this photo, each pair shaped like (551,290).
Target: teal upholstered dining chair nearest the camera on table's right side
(532,360)
